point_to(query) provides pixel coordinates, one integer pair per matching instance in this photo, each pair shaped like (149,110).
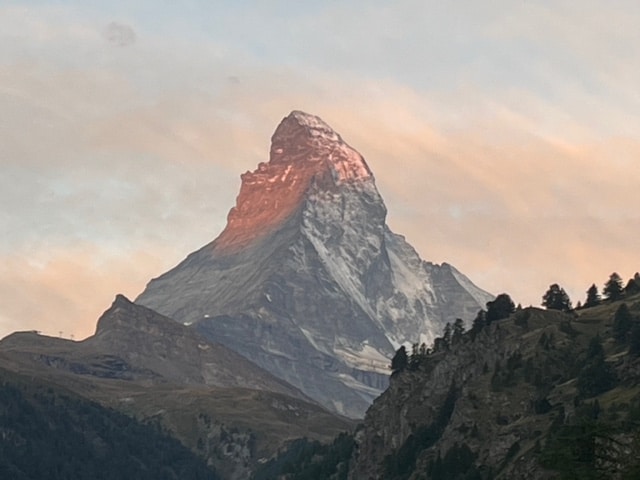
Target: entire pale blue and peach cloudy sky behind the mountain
(504,135)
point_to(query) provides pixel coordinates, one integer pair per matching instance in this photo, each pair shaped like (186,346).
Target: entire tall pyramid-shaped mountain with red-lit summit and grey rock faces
(307,280)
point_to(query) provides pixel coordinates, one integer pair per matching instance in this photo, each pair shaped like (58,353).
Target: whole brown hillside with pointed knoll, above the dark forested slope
(224,408)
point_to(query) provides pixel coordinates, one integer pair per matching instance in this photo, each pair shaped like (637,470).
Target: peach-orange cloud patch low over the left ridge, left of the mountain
(65,291)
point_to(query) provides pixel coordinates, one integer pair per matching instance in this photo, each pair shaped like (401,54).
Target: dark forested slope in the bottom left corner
(47,433)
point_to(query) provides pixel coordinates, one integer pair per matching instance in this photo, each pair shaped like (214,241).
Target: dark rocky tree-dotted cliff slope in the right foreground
(524,398)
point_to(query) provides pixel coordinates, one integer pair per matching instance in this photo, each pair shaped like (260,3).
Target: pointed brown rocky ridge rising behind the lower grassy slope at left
(135,343)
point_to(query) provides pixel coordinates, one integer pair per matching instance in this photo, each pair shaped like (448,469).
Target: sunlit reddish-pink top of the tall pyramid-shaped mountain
(305,151)
